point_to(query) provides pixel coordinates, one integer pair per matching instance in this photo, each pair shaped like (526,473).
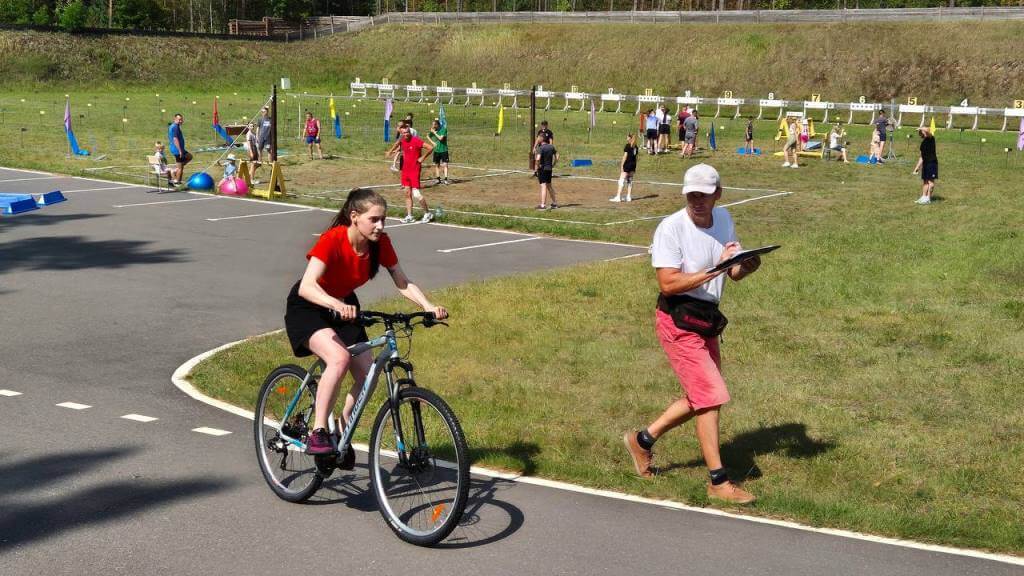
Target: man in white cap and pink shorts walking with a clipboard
(688,245)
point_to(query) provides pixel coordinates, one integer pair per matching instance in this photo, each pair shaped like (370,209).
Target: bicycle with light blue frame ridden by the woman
(419,463)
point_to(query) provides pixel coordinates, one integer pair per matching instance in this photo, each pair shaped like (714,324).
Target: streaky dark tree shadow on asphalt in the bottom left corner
(27,522)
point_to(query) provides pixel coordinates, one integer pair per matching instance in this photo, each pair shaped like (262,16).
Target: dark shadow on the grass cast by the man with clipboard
(740,454)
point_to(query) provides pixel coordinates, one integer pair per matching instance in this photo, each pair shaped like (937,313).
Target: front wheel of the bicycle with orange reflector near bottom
(422,481)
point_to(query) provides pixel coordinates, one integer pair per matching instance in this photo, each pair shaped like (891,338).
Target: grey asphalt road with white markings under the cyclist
(102,298)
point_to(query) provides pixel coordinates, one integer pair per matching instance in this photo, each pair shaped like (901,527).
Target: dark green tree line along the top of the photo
(212,16)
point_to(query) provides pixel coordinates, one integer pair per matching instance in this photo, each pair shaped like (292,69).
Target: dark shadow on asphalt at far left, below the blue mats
(77,253)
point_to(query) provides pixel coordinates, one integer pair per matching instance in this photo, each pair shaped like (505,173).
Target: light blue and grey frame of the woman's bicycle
(383,363)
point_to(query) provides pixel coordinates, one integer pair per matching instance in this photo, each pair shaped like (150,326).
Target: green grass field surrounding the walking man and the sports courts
(875,362)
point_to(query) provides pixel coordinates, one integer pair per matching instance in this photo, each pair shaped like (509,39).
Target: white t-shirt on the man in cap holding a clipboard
(680,244)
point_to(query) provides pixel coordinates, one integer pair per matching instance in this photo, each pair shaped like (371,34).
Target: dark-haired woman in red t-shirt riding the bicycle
(323,306)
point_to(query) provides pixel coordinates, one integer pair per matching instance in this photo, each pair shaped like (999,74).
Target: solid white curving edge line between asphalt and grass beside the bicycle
(180,376)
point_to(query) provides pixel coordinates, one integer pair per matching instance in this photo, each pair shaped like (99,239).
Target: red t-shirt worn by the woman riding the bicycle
(347,271)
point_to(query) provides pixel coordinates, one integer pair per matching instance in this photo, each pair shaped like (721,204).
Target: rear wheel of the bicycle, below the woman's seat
(287,469)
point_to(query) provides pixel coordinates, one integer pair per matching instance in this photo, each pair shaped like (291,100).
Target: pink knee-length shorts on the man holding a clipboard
(696,361)
